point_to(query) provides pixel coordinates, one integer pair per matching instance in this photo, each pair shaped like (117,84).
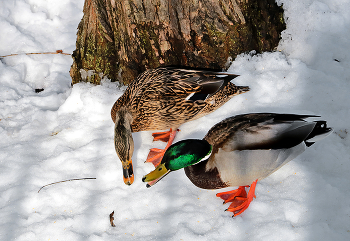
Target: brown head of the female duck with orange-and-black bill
(124,143)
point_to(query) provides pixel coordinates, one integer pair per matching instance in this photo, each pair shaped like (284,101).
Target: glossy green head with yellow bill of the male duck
(179,155)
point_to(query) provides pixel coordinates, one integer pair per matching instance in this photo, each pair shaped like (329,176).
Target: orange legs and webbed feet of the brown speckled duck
(155,155)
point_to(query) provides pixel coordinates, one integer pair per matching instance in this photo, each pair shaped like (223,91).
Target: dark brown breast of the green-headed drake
(202,178)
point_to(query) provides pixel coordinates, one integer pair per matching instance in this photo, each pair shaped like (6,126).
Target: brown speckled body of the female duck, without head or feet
(157,98)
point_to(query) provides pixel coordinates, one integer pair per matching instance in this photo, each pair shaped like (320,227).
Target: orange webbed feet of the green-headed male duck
(239,199)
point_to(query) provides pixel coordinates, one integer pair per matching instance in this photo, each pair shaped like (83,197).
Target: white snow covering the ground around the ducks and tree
(63,133)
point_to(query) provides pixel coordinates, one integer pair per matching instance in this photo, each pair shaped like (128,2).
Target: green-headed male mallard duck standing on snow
(239,151)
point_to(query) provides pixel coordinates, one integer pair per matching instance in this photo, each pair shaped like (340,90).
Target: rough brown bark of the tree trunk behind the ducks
(120,39)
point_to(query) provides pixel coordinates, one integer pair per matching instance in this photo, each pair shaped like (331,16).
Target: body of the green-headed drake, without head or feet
(253,146)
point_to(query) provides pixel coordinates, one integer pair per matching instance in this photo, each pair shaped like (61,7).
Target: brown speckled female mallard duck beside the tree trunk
(164,98)
